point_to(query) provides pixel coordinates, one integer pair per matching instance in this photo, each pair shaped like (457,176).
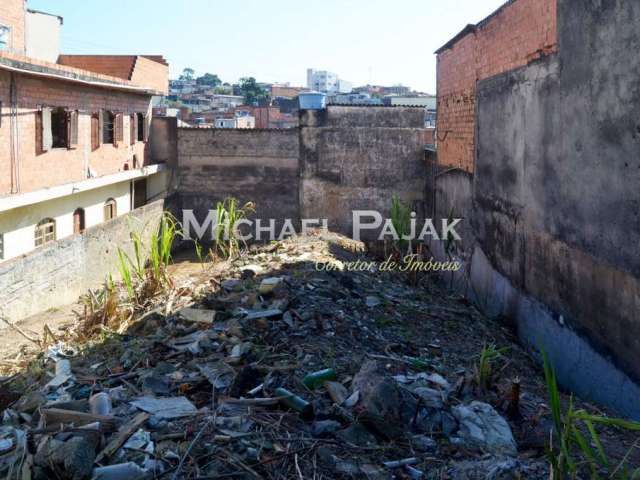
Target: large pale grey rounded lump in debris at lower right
(482,428)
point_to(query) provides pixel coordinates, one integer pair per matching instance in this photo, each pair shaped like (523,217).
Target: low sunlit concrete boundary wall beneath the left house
(58,273)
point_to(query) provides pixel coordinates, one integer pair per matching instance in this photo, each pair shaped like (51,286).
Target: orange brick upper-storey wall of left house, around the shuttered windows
(60,166)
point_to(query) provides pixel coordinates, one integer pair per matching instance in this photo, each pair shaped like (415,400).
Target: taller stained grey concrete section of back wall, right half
(356,158)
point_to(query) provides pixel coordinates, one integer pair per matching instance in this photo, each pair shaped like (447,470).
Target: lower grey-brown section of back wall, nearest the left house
(261,166)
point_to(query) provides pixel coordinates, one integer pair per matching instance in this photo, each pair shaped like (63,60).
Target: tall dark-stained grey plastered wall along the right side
(557,205)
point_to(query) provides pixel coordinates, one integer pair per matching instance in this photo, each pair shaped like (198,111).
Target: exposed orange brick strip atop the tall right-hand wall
(521,31)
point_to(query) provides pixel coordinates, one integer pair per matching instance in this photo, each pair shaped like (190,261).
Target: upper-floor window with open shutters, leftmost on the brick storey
(56,128)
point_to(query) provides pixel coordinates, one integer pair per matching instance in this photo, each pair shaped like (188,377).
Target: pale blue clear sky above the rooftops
(364,41)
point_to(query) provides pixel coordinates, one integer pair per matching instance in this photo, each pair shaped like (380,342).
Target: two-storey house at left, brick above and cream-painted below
(73,134)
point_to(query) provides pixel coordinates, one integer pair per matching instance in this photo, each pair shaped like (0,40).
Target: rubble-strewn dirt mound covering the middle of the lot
(270,367)
